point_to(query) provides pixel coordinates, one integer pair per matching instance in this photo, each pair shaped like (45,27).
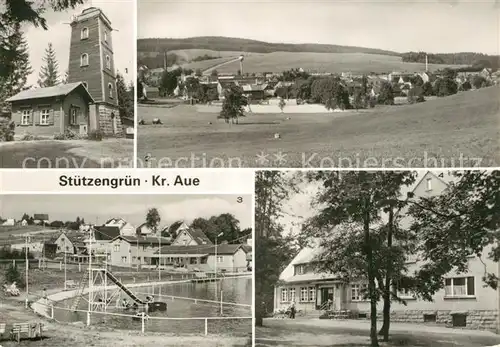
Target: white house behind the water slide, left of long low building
(133,250)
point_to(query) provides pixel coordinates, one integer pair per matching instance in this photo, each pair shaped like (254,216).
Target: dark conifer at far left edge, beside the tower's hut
(14,63)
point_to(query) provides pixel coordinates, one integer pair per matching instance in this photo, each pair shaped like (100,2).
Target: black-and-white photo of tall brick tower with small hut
(67,84)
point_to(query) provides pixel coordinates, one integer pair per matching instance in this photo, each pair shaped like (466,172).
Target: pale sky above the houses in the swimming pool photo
(132,208)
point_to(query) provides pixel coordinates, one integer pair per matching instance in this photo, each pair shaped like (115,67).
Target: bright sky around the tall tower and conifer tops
(119,12)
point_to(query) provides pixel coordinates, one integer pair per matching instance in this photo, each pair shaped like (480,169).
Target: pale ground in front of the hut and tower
(108,153)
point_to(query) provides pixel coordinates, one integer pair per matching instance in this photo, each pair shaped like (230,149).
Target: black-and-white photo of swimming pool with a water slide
(126,270)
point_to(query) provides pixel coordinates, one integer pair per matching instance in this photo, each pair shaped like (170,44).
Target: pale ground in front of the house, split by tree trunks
(315,333)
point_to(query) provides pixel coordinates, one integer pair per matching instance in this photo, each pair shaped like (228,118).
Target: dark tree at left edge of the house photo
(273,253)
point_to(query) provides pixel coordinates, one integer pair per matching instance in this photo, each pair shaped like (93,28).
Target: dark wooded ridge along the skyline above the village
(217,43)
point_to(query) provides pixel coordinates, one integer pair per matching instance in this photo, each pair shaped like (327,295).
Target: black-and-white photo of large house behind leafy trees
(377,258)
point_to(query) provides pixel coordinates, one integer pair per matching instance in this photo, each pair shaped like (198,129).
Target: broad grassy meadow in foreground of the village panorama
(462,130)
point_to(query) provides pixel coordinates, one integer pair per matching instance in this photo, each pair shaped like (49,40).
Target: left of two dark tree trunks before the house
(371,277)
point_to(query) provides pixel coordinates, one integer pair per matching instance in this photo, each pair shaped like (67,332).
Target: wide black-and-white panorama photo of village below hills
(322,84)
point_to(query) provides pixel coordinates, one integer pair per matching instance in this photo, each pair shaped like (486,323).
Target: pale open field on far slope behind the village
(319,62)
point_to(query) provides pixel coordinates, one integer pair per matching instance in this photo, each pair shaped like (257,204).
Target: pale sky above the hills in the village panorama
(412,25)
